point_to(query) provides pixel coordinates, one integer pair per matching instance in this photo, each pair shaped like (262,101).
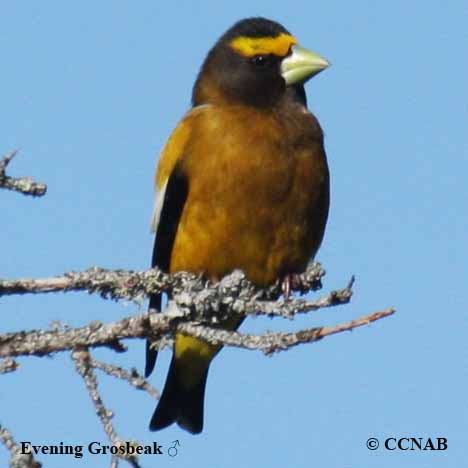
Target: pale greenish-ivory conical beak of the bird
(301,65)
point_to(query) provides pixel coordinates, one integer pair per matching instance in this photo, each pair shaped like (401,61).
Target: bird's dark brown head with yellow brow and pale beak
(254,63)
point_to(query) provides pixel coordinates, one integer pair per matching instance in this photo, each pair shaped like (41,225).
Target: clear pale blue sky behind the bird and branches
(89,93)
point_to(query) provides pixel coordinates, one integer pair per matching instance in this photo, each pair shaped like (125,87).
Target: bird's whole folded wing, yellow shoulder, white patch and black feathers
(171,193)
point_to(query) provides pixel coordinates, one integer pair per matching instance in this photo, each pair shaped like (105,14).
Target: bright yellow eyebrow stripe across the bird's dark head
(251,46)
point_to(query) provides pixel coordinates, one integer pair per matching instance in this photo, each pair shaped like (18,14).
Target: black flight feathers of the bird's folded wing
(171,212)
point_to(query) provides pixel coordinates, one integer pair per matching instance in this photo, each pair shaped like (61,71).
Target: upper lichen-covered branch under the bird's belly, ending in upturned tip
(234,293)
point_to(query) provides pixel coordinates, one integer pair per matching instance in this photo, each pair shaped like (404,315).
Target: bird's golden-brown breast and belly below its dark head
(258,196)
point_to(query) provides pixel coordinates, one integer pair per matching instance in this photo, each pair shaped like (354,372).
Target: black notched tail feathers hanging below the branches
(179,403)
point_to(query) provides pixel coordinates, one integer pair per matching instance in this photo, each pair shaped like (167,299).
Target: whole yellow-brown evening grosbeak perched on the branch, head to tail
(242,183)
